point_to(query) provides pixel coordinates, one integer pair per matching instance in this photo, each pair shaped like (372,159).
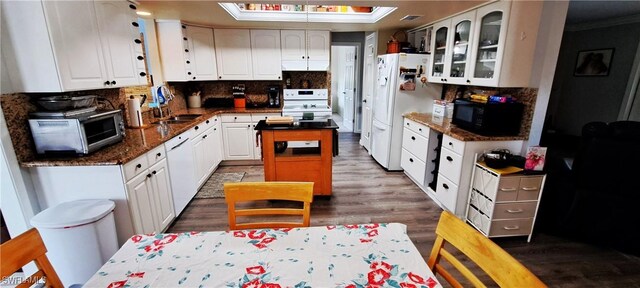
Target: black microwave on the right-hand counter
(489,119)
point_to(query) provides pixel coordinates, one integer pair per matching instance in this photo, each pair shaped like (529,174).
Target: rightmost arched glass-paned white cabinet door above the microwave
(490,34)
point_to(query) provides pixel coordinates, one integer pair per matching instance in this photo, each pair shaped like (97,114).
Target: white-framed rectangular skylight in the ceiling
(306,13)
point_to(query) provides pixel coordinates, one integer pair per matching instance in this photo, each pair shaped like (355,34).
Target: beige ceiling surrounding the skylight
(209,13)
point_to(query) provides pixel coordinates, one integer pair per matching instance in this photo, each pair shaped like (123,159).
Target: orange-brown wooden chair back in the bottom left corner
(23,249)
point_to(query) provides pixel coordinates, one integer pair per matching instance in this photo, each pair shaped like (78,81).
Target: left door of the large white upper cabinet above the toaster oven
(76,43)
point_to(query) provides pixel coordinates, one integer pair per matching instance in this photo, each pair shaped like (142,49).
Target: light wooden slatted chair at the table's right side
(505,270)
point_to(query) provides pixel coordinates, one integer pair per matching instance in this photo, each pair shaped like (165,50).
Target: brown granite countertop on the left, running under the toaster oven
(140,141)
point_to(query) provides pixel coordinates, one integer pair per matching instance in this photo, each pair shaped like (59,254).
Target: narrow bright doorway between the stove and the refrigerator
(344,67)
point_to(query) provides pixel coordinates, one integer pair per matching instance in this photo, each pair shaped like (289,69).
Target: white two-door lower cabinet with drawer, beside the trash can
(149,193)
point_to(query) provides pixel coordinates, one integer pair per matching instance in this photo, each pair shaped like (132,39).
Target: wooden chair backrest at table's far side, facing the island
(256,191)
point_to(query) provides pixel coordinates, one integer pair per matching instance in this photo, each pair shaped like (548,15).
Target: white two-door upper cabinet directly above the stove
(305,50)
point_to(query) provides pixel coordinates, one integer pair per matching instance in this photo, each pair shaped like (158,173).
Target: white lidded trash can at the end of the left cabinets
(80,237)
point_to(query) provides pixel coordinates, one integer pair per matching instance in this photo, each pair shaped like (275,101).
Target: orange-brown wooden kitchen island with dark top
(309,164)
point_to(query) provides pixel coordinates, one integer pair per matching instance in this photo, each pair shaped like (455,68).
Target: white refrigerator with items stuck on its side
(395,96)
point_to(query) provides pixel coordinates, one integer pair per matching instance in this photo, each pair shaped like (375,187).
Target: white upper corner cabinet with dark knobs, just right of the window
(188,52)
